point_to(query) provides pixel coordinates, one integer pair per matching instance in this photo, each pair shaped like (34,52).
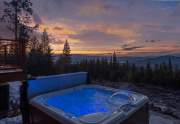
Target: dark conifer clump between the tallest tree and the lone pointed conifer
(40,57)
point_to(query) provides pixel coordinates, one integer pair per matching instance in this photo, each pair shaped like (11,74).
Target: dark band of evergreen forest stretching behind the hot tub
(163,74)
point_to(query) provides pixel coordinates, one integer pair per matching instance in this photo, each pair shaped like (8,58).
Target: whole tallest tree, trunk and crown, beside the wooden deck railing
(18,15)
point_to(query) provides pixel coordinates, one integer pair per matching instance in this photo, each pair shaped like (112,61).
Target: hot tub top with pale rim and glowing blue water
(90,104)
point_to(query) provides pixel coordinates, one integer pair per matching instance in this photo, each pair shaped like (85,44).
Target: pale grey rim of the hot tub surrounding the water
(117,116)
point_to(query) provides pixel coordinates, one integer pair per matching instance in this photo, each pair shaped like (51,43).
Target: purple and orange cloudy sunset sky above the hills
(129,27)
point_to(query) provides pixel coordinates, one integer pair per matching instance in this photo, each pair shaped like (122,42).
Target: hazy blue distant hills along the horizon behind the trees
(139,60)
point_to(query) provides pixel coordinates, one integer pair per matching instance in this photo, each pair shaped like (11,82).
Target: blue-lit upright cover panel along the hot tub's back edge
(47,84)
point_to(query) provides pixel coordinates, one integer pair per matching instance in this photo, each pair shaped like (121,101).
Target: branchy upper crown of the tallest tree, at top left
(18,14)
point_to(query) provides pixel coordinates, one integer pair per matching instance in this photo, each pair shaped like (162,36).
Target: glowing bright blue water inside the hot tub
(84,101)
